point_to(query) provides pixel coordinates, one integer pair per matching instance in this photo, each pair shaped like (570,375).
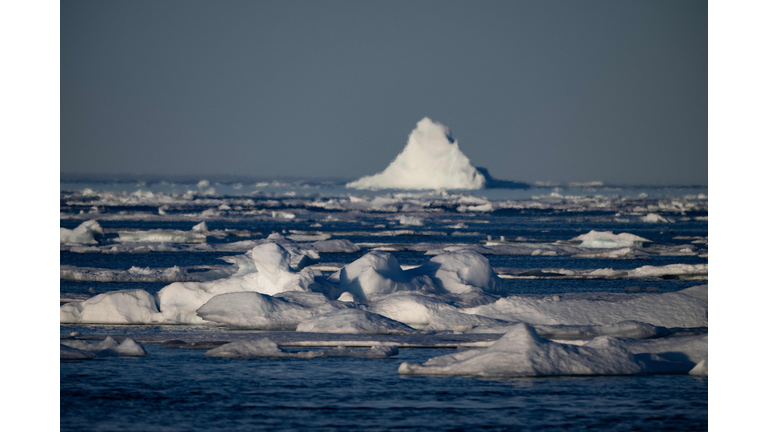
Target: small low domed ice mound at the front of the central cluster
(353,321)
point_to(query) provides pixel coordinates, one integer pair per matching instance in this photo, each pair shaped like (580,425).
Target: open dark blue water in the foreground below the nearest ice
(184,390)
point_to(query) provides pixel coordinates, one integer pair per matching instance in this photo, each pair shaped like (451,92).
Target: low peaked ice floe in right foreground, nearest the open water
(521,352)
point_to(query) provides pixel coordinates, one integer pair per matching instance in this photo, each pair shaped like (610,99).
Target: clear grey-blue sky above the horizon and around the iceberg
(531,90)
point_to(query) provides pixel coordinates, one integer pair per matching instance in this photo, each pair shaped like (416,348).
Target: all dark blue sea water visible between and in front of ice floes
(182,390)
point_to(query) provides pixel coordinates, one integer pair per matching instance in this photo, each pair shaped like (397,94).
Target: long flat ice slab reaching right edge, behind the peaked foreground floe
(677,309)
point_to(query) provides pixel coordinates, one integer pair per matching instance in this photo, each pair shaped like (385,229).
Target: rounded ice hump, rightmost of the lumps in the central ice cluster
(460,271)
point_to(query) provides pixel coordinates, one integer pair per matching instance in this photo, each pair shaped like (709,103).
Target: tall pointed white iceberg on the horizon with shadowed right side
(431,160)
